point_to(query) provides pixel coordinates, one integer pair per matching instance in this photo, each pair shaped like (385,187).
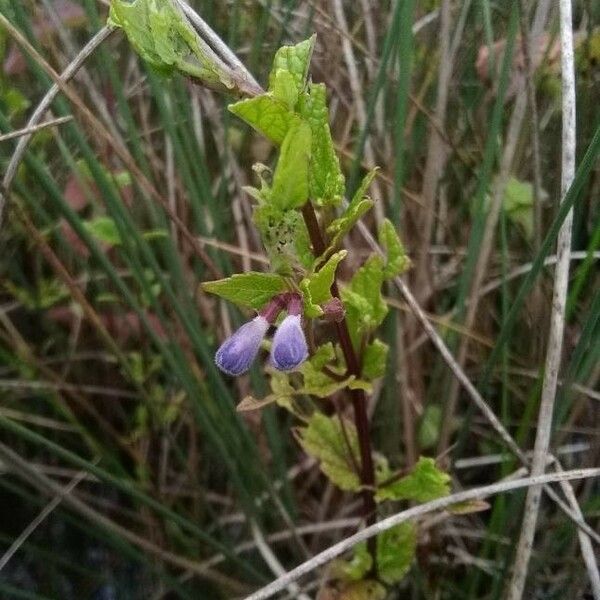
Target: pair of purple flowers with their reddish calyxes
(288,349)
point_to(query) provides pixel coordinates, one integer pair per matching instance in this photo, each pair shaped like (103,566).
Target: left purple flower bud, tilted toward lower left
(237,352)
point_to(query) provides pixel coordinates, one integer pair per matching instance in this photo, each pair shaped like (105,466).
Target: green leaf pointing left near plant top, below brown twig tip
(267,114)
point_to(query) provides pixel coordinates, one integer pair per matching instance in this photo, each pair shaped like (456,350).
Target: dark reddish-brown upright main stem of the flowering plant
(358,397)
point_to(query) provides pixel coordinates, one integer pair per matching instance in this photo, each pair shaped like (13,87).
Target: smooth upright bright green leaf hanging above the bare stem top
(290,181)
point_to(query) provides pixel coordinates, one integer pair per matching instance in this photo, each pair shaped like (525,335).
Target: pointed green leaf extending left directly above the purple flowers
(247,289)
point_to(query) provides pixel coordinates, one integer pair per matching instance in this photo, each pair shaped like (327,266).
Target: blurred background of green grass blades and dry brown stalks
(133,196)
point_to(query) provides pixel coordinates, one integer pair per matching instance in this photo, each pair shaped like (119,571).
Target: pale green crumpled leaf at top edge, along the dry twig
(163,37)
